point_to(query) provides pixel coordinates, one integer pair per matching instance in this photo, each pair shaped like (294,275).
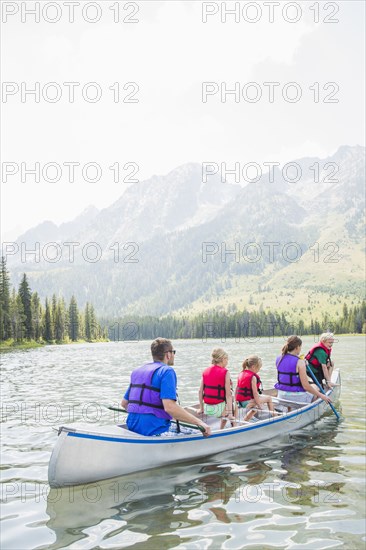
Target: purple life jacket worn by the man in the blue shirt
(143,397)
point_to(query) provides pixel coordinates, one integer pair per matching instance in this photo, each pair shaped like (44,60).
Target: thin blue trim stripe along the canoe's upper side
(164,440)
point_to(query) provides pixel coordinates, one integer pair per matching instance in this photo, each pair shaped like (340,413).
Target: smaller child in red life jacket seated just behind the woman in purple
(248,389)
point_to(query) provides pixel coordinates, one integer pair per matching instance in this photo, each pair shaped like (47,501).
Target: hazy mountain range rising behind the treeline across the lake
(174,244)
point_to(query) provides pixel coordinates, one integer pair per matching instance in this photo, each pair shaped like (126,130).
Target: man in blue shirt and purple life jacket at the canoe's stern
(151,398)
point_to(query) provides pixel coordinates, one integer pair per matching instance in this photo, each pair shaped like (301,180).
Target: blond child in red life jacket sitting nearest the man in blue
(215,390)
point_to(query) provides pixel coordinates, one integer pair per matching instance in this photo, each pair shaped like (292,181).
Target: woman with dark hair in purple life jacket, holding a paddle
(293,383)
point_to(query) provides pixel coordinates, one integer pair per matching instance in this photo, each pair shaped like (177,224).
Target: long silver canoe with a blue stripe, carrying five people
(85,455)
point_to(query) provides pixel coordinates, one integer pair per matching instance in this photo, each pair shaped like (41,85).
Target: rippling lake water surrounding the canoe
(303,491)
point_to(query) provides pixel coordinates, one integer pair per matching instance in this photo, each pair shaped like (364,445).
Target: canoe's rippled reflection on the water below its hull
(166,500)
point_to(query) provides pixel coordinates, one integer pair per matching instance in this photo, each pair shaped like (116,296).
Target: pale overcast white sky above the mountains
(167,55)
